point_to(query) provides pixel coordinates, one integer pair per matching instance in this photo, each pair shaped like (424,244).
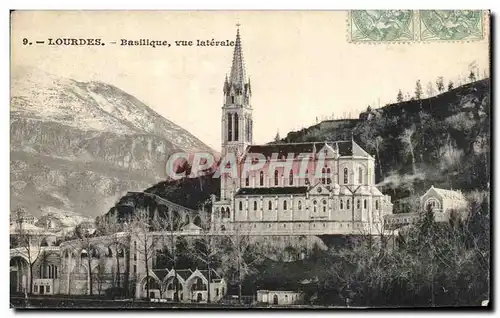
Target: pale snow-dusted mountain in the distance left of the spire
(77,147)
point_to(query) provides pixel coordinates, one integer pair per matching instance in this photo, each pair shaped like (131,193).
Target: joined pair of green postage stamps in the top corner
(372,26)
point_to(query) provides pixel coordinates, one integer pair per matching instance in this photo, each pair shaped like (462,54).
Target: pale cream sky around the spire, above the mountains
(301,65)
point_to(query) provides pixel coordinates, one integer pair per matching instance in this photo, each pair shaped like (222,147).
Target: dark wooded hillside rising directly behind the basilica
(448,137)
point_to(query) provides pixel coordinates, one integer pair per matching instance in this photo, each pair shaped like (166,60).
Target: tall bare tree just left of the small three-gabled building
(141,225)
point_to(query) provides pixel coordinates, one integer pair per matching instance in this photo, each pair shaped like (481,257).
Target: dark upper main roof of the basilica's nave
(343,148)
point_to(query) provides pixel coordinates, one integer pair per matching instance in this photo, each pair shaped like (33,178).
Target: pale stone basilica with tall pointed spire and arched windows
(300,188)
